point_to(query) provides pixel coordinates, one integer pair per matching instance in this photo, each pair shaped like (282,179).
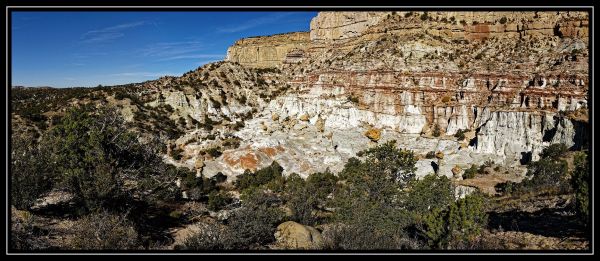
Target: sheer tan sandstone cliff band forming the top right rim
(337,26)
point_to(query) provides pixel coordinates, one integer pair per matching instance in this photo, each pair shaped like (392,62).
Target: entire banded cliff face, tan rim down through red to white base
(511,80)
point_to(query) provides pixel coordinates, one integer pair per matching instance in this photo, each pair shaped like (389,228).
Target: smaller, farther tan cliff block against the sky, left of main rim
(269,51)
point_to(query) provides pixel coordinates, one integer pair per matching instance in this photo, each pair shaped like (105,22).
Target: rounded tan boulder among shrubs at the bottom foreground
(292,235)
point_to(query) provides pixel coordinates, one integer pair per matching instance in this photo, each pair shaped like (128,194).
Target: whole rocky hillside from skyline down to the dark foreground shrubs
(460,90)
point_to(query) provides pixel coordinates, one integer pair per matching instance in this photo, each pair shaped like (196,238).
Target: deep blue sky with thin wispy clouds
(67,49)
